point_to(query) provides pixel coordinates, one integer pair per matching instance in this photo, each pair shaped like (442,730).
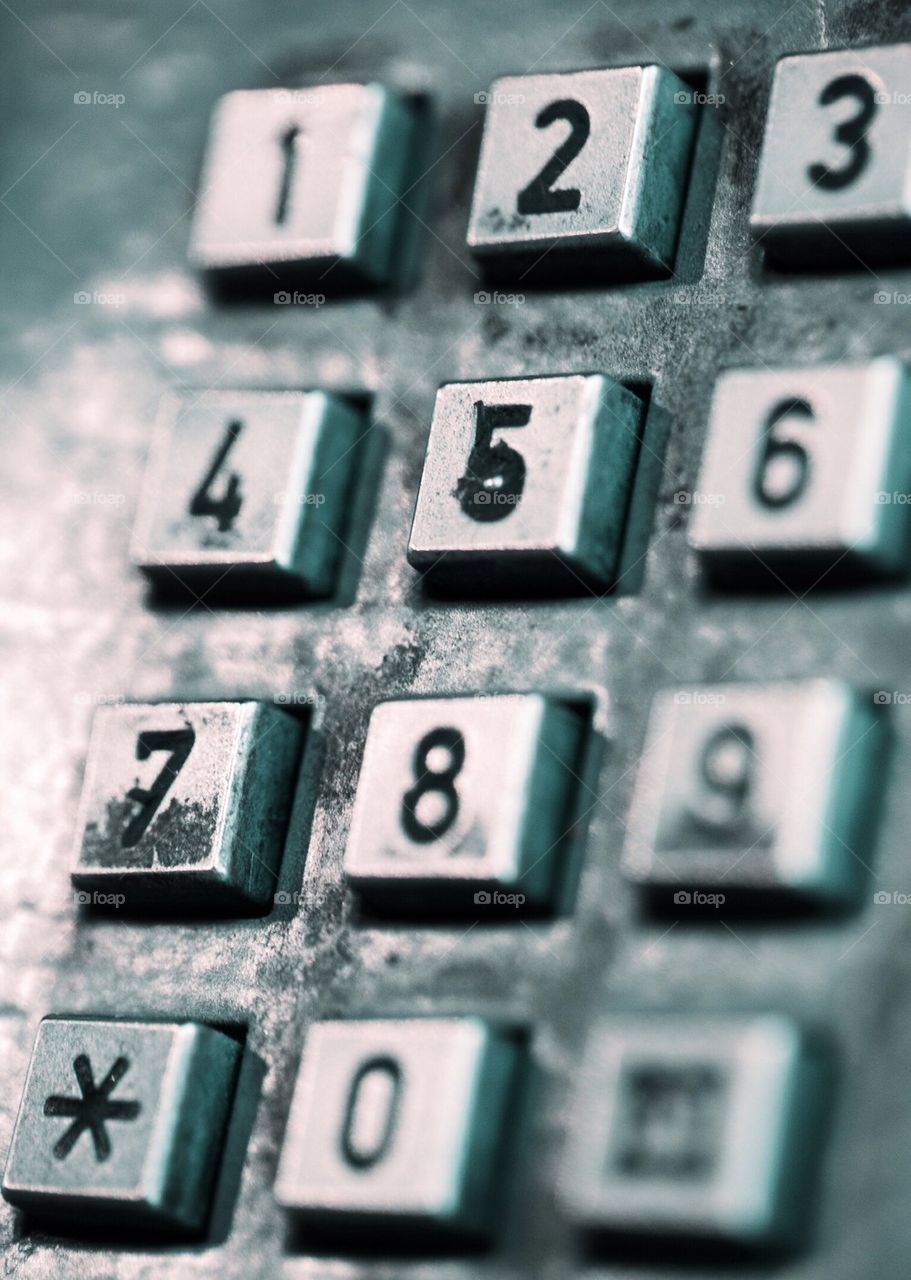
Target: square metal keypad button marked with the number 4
(246,493)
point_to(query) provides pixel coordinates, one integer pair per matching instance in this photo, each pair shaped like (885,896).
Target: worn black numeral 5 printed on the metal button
(495,478)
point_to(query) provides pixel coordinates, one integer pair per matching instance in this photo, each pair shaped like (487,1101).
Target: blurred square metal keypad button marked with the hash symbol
(697,1128)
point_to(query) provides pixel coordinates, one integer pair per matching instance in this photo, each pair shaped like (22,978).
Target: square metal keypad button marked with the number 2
(584,171)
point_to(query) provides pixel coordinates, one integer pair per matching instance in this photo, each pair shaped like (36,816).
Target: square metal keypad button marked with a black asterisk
(122,1123)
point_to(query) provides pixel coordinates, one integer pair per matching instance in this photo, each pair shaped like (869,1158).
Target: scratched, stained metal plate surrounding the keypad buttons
(98,199)
